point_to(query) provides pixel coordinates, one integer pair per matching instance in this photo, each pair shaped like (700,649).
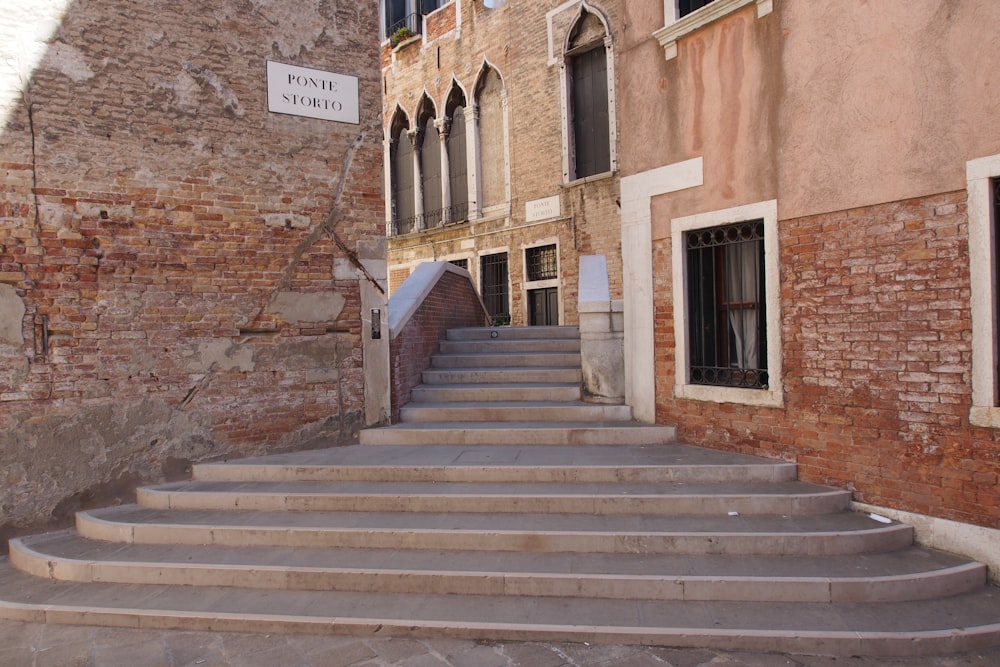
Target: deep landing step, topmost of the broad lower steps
(659,464)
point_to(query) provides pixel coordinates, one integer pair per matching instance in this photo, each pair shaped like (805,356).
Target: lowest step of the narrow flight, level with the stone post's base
(513,411)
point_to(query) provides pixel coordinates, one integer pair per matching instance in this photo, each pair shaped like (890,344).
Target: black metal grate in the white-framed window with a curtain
(726,318)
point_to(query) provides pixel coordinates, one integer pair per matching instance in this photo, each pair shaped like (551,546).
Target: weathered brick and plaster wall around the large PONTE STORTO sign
(181,271)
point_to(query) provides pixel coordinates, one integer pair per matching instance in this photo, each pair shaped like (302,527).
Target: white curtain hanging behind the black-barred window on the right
(741,293)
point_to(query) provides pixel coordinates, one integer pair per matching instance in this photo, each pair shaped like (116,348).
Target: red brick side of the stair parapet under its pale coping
(452,303)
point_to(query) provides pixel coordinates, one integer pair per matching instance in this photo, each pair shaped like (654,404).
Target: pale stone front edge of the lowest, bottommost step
(843,643)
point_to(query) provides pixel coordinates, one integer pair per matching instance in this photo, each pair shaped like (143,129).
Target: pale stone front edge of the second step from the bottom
(906,587)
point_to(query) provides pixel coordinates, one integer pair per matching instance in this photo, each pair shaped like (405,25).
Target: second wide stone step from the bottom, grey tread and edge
(908,574)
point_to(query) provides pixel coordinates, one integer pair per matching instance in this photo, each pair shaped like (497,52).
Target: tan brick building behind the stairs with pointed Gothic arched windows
(491,162)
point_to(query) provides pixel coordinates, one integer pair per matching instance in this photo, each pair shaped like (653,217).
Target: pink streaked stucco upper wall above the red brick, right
(824,106)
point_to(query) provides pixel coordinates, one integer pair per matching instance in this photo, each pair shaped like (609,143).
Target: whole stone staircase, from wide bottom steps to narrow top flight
(504,507)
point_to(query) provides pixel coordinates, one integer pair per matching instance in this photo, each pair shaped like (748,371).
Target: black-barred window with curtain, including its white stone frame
(727,308)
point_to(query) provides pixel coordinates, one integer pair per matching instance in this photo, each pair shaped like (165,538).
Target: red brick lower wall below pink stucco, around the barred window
(877,362)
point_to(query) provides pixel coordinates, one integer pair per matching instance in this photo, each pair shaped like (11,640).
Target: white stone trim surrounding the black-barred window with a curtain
(773,395)
